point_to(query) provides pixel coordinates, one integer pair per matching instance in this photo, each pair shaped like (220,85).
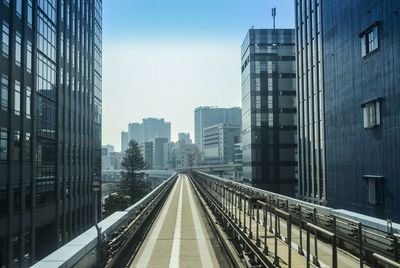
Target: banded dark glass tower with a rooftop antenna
(269,109)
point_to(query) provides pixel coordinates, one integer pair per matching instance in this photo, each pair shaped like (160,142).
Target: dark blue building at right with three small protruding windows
(349,99)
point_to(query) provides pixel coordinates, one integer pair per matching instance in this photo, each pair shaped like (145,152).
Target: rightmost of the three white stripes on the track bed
(205,255)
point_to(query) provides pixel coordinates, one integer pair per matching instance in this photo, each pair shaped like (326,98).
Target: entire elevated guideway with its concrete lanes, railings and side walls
(194,219)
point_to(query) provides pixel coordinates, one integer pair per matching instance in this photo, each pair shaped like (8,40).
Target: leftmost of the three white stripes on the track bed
(148,250)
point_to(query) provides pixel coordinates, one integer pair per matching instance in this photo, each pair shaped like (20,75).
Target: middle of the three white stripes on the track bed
(176,243)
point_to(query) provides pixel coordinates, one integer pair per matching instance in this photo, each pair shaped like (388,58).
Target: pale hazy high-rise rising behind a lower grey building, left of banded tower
(208,116)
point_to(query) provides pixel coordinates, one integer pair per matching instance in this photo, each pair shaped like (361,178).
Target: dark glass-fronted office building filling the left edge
(50,124)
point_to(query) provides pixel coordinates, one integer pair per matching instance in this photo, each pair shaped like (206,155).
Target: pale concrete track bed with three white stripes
(181,235)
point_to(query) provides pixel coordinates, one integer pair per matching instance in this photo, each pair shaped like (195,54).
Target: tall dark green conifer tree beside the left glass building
(133,182)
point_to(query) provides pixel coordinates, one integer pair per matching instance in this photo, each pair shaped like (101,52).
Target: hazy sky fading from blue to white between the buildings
(164,58)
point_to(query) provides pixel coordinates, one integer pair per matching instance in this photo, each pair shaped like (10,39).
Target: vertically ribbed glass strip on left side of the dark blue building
(310,92)
